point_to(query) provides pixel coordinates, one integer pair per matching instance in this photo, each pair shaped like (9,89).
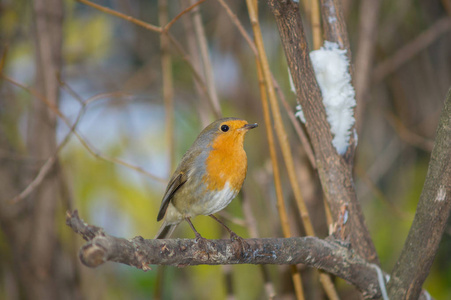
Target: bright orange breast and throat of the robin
(226,162)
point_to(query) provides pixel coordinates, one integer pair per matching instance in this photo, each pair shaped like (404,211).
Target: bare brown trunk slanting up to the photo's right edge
(431,216)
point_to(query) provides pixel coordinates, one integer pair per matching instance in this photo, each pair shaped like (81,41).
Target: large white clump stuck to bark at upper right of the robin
(331,68)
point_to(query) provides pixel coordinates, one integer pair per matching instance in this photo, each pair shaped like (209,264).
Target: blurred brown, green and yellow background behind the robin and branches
(138,106)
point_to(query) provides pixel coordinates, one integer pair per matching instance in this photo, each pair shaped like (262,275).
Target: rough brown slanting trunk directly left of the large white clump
(335,171)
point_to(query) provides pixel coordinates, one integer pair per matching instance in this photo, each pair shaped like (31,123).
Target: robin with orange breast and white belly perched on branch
(209,176)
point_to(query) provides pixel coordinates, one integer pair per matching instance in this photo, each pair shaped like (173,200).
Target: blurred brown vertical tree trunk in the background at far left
(41,144)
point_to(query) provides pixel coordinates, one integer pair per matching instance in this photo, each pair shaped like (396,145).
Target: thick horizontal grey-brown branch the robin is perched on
(329,256)
